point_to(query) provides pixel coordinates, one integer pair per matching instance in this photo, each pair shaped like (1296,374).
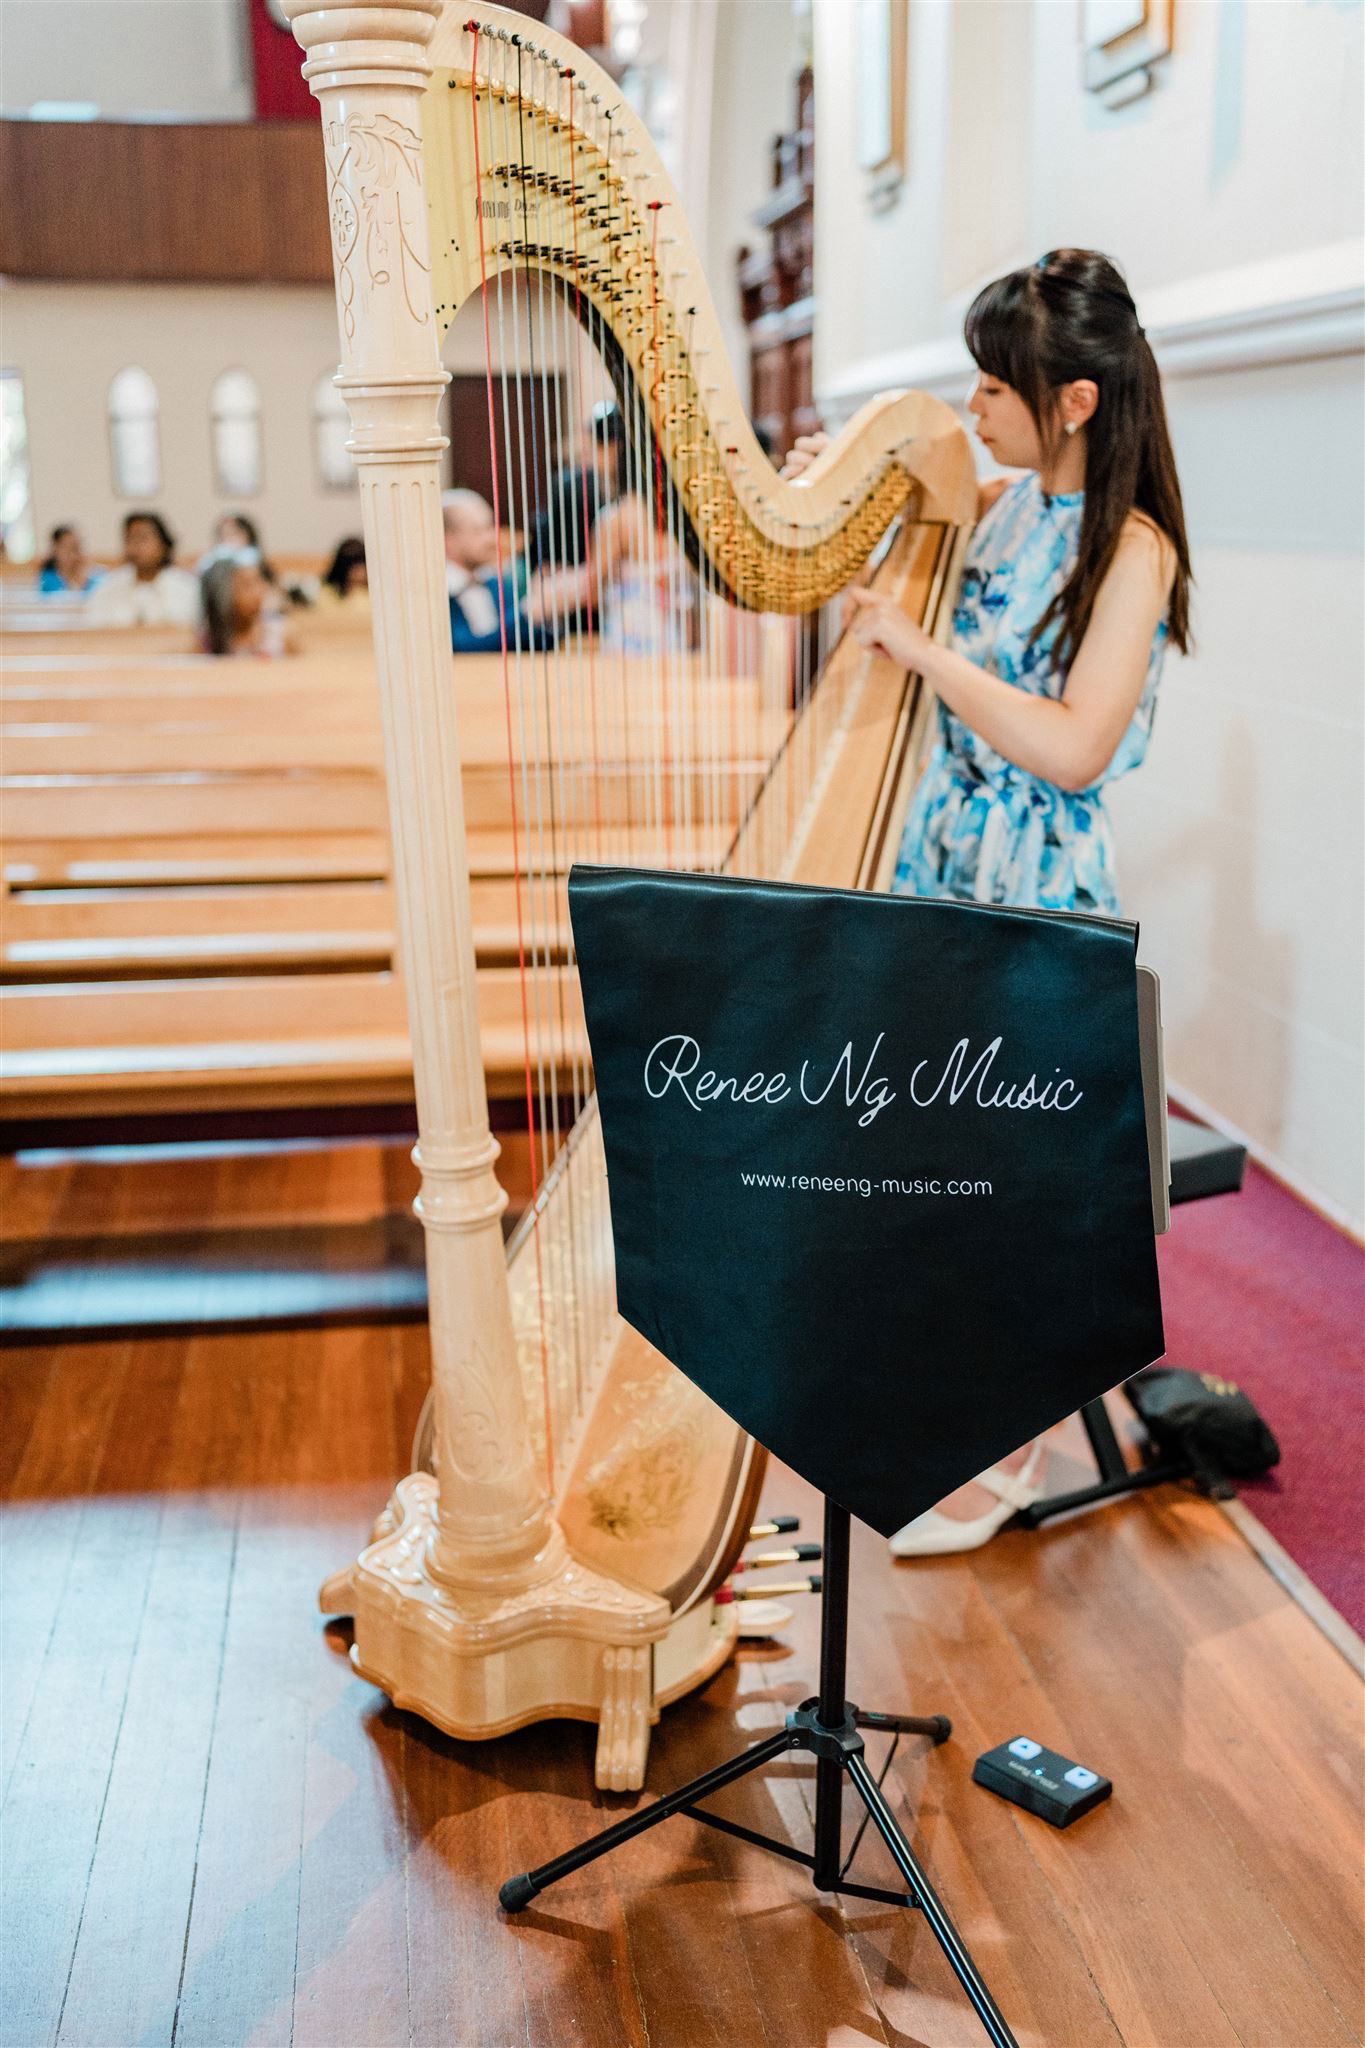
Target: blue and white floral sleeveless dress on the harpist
(979,828)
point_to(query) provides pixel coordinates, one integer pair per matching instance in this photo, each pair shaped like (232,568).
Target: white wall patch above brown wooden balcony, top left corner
(128,56)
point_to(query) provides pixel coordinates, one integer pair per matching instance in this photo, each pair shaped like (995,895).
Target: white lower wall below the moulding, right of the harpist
(1241,839)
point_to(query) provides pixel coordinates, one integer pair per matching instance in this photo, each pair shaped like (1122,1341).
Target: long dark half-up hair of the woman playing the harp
(1073,316)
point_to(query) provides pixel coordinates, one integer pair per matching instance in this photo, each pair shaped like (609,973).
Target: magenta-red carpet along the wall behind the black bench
(1258,1289)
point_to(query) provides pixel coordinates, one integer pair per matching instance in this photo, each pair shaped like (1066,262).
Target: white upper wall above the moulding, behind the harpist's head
(1249,148)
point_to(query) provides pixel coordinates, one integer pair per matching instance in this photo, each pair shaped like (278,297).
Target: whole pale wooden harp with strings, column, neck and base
(584,1500)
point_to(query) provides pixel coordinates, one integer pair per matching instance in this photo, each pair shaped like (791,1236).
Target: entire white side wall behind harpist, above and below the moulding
(1233,198)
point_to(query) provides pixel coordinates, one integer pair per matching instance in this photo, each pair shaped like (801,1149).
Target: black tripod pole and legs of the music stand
(828,1727)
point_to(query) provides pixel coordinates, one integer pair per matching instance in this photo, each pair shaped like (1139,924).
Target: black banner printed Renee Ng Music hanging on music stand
(877,1166)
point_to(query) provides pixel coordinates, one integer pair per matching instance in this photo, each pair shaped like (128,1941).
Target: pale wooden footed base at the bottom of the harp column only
(580,1646)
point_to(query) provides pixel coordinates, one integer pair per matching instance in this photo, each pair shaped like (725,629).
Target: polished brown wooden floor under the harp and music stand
(218,1836)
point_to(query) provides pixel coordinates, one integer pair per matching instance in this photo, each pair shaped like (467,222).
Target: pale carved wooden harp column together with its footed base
(468,1605)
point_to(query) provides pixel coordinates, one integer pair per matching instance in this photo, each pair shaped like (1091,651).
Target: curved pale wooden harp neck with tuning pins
(533,142)
